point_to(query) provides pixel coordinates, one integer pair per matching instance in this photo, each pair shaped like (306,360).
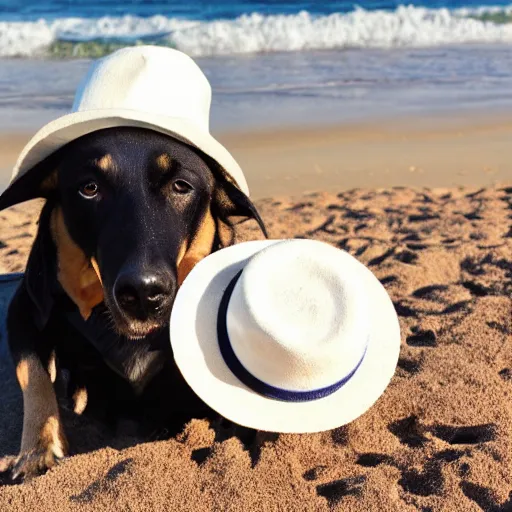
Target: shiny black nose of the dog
(143,295)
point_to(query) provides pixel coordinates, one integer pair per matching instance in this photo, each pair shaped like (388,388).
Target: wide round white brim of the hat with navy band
(193,329)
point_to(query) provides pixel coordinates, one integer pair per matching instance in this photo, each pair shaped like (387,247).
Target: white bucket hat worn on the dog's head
(146,86)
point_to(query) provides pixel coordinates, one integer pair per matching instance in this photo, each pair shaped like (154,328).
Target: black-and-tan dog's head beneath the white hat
(130,212)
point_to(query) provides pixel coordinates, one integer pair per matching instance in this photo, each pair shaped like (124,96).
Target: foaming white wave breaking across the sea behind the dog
(407,26)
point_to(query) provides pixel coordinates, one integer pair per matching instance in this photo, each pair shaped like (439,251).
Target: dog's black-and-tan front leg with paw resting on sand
(43,441)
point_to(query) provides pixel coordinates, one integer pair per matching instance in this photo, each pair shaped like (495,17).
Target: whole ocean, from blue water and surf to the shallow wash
(272,62)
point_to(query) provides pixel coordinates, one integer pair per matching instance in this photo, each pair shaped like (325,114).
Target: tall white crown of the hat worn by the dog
(150,79)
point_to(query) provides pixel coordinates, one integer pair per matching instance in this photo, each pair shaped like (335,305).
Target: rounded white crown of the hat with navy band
(297,318)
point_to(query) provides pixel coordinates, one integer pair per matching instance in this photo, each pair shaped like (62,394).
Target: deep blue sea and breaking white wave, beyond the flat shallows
(59,28)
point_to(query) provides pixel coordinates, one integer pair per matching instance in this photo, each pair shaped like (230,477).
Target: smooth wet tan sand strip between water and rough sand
(464,149)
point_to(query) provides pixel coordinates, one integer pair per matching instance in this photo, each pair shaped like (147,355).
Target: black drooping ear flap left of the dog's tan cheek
(41,271)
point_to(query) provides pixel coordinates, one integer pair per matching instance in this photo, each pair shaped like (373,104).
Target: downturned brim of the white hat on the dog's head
(65,129)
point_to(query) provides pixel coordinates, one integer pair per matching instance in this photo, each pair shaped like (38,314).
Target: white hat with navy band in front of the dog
(285,336)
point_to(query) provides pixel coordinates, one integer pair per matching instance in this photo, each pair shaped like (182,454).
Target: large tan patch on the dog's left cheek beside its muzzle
(76,273)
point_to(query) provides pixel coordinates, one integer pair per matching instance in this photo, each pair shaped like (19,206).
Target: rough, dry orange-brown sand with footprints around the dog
(439,439)
